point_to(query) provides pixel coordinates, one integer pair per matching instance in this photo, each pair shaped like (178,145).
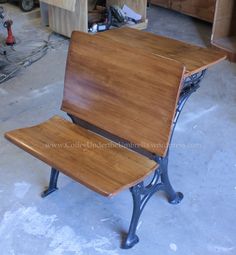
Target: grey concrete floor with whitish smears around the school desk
(75,220)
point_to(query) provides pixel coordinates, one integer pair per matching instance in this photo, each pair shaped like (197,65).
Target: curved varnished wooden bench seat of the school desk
(96,162)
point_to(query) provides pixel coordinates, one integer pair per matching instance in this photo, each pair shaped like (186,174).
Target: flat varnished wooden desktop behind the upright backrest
(194,58)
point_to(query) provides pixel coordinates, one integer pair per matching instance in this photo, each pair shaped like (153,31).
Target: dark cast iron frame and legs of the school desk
(141,193)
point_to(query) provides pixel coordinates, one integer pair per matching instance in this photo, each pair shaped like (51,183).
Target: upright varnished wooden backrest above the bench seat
(123,90)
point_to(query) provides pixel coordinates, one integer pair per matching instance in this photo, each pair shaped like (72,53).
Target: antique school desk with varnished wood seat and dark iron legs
(124,90)
